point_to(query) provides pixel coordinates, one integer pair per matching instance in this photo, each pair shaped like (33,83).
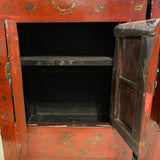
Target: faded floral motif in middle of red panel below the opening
(66,140)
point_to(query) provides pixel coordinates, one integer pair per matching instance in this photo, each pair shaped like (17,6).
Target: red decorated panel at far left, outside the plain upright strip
(7,123)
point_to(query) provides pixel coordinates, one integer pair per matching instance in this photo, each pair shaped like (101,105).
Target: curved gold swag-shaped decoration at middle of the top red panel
(65,10)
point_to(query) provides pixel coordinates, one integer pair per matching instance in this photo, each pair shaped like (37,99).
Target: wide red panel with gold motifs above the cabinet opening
(73,10)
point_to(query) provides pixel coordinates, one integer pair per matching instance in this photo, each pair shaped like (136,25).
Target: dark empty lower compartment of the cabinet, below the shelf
(56,94)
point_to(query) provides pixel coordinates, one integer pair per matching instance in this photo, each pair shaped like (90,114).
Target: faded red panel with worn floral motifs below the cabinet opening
(77,142)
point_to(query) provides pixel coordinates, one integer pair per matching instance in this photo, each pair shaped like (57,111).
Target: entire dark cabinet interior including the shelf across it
(77,91)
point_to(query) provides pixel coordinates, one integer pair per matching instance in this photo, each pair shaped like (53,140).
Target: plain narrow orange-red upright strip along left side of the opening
(17,89)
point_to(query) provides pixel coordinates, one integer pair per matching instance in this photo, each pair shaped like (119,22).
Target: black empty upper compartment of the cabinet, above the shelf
(66,39)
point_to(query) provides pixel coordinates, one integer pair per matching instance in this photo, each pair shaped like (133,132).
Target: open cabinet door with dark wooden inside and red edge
(133,81)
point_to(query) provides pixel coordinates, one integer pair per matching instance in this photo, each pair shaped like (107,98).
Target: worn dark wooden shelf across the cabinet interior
(66,61)
